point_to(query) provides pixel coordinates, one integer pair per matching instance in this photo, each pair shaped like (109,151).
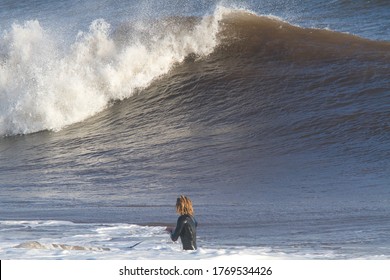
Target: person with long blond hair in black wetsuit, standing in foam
(186,224)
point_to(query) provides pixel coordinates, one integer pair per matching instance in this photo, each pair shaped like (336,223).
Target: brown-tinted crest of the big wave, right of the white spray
(246,34)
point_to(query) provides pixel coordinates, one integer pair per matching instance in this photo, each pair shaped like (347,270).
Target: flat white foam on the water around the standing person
(111,242)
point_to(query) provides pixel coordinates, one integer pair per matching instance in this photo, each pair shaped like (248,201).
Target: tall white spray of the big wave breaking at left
(43,87)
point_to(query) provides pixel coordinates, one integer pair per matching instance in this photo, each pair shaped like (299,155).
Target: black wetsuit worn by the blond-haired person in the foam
(186,229)
